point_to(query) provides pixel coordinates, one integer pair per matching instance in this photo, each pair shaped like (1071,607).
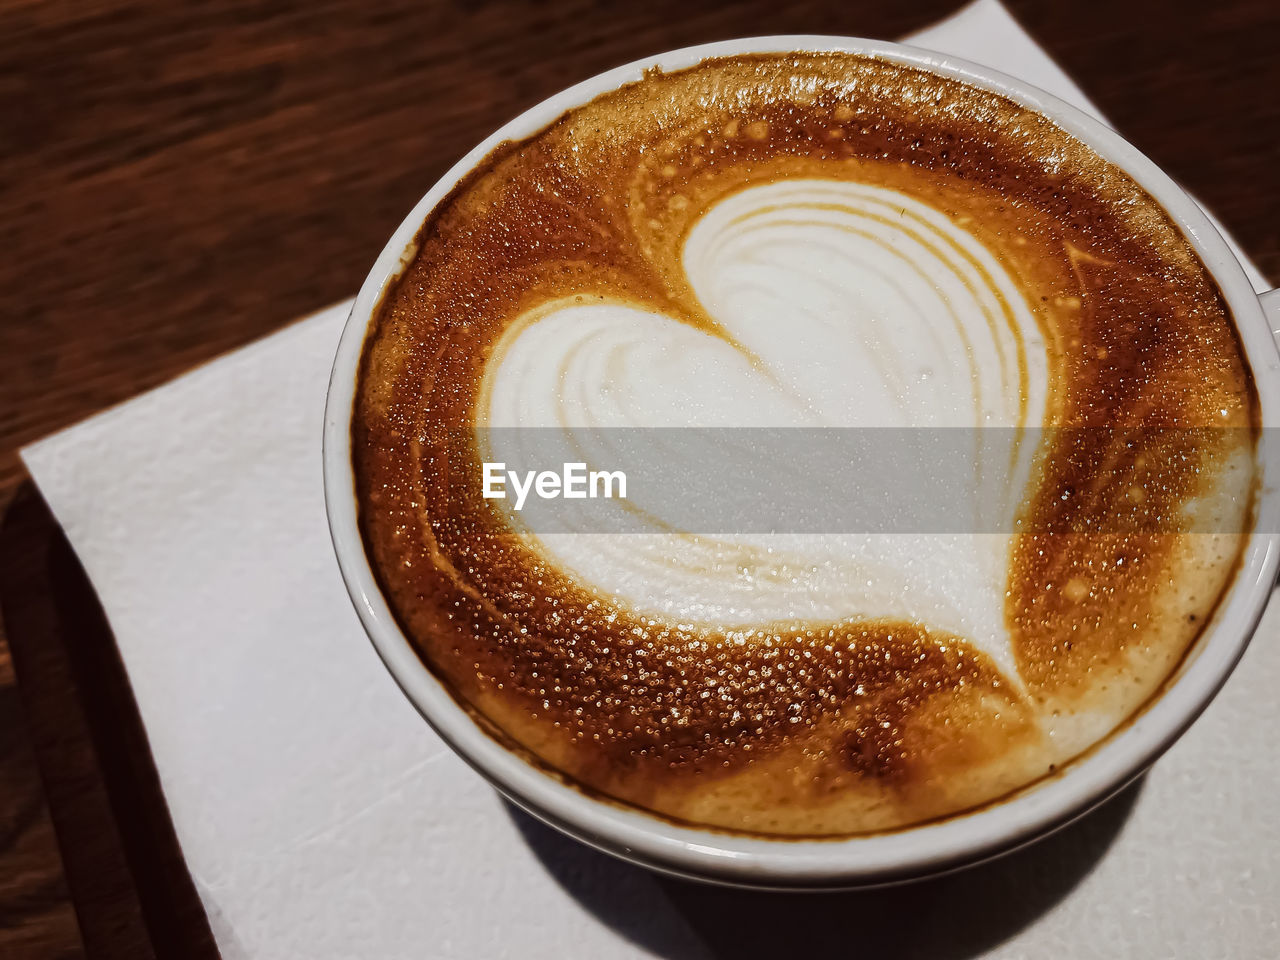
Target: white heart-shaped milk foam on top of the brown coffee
(839,305)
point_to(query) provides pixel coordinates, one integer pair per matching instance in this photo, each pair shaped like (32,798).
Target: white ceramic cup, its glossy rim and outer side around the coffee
(881,858)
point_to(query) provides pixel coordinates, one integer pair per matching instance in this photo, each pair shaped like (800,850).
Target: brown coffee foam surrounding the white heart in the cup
(794,725)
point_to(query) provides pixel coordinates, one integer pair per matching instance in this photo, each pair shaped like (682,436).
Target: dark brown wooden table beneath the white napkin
(180,180)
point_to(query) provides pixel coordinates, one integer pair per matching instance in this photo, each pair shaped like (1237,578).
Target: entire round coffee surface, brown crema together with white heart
(806,241)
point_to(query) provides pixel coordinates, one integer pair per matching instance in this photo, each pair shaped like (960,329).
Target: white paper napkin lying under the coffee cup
(322,820)
